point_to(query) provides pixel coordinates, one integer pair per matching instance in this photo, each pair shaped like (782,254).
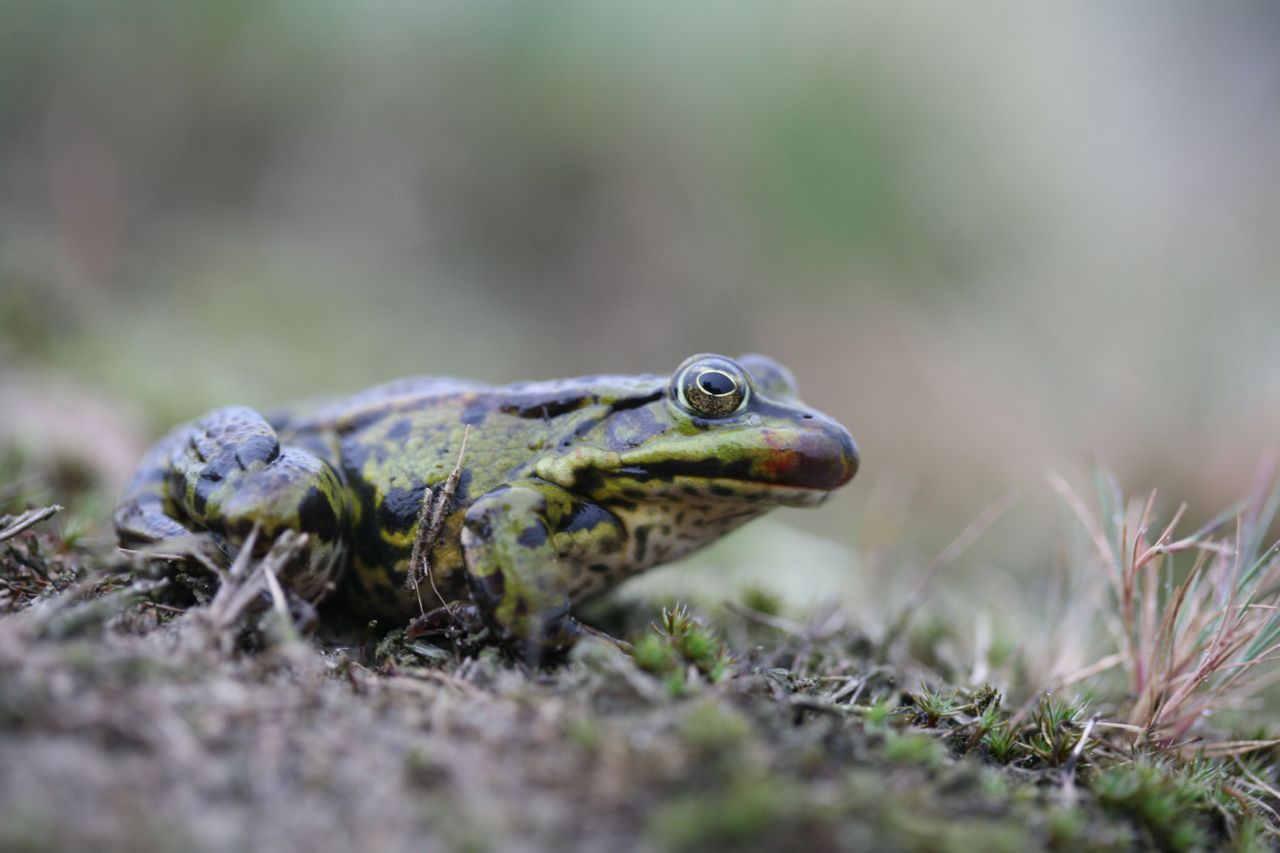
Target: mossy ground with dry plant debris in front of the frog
(134,719)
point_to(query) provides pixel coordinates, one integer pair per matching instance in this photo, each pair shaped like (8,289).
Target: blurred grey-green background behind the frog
(990,241)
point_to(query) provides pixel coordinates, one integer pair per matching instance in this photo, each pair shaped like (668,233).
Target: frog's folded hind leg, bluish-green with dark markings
(228,473)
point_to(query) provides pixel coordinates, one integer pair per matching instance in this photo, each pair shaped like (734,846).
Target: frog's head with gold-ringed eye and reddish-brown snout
(717,432)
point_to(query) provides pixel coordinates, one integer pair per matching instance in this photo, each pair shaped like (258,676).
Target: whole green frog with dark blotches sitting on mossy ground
(547,494)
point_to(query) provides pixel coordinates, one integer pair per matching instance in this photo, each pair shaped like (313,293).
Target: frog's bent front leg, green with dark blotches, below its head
(515,572)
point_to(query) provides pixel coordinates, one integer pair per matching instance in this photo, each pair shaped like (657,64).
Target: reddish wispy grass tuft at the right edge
(1196,619)
